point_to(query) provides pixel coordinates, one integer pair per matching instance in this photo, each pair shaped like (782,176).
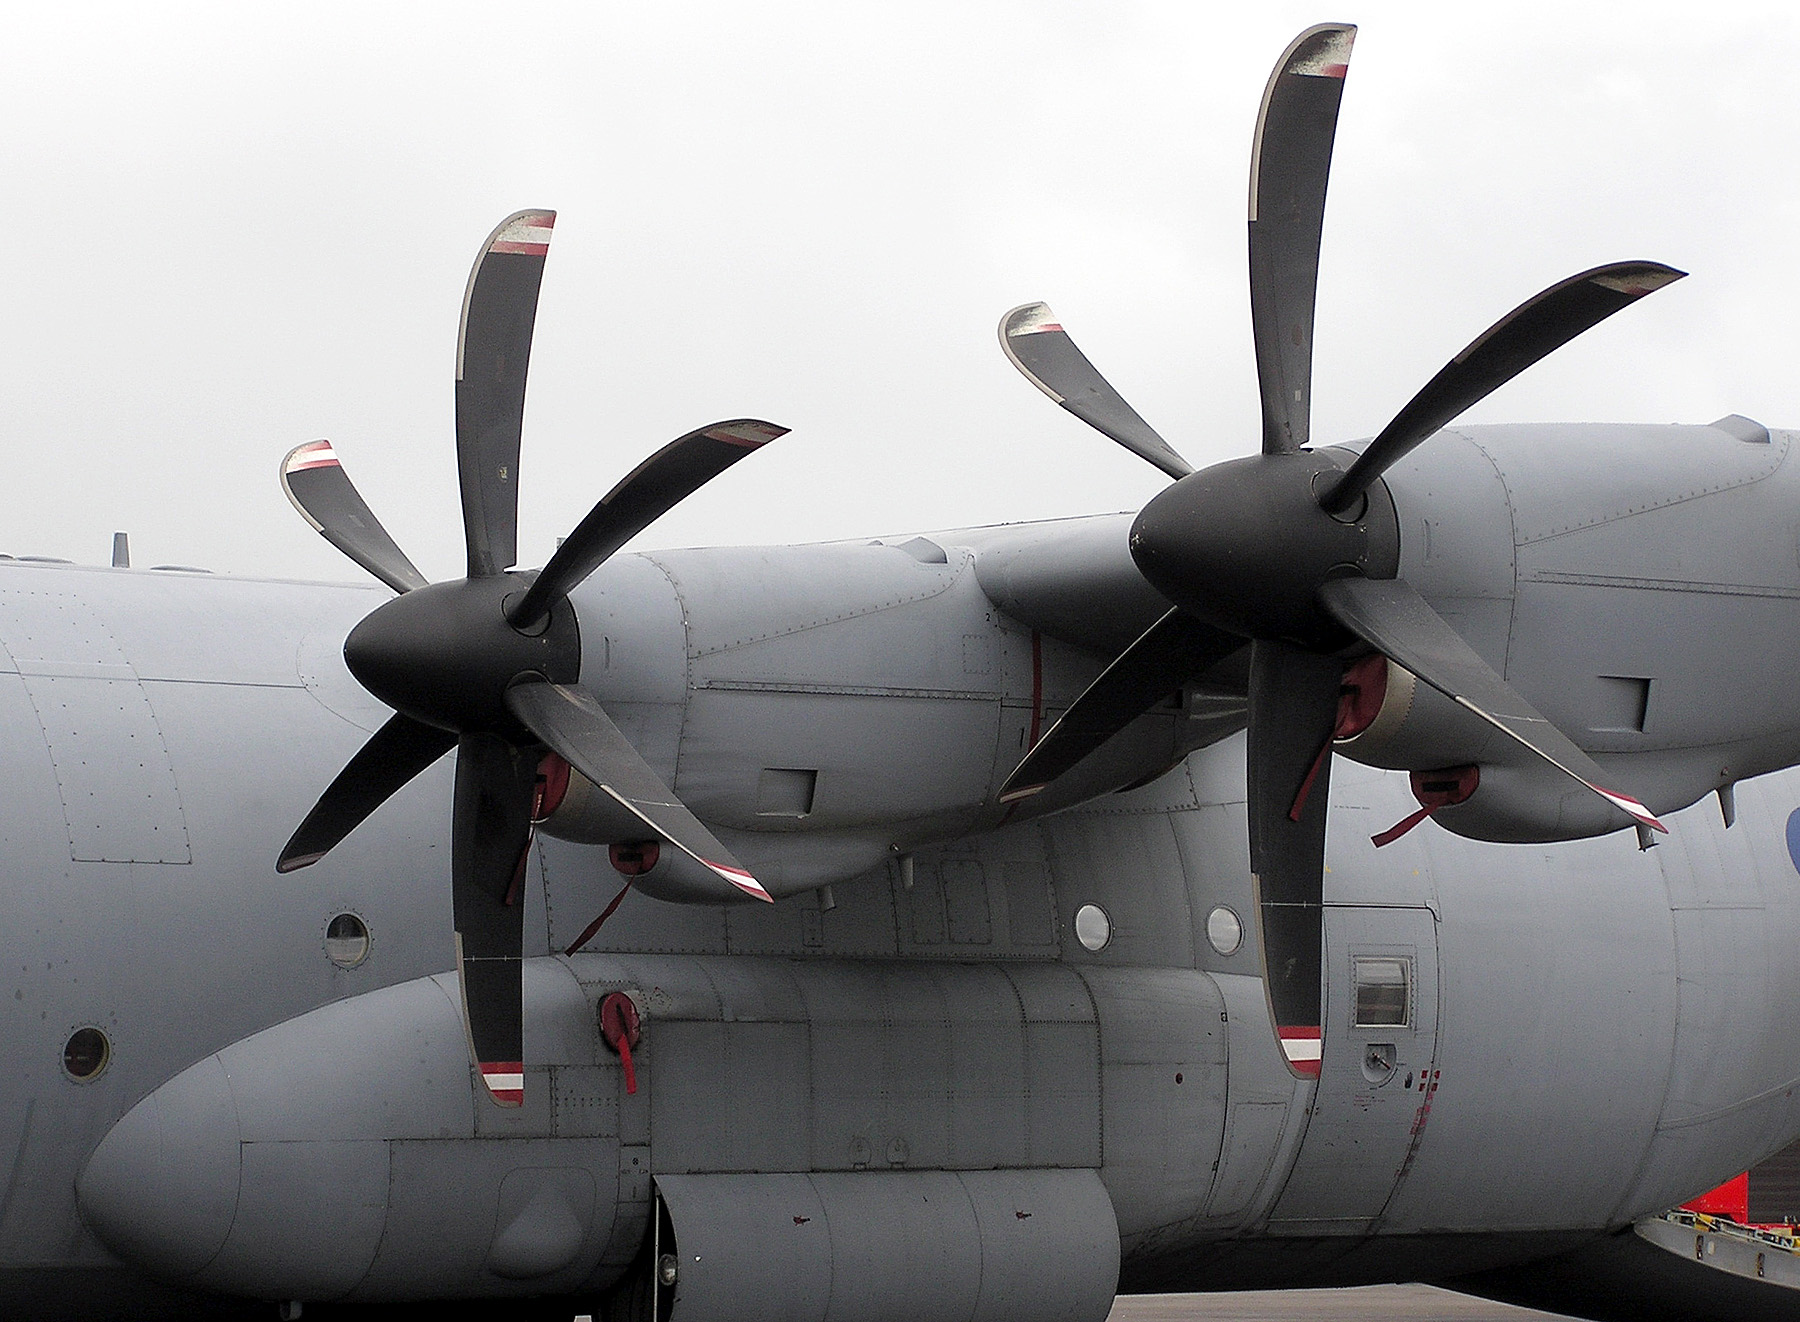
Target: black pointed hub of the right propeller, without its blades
(1245,545)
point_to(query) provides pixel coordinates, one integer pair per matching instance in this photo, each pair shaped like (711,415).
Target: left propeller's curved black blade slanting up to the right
(651,491)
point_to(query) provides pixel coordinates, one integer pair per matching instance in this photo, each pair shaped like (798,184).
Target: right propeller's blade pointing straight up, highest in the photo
(1291,163)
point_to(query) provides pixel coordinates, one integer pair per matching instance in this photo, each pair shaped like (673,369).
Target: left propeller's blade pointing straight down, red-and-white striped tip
(490,838)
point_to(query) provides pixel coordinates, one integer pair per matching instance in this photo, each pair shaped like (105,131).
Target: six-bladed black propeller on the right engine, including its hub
(1291,552)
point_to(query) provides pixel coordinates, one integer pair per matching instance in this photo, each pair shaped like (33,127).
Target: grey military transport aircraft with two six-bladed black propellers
(949,927)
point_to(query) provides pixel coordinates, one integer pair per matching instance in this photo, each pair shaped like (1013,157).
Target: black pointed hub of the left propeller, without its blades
(445,655)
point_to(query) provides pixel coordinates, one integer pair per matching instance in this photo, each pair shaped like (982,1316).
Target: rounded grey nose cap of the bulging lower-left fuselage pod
(161,1190)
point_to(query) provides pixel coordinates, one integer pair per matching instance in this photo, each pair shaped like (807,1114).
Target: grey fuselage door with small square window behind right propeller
(1378,1071)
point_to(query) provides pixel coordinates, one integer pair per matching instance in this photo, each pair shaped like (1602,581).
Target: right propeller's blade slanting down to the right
(1396,620)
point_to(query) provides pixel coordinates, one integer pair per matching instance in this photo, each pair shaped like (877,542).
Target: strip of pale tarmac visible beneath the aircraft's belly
(1417,1303)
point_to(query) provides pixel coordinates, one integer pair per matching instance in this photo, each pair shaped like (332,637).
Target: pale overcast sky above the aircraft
(240,228)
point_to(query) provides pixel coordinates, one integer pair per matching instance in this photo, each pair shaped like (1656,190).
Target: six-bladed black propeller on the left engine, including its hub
(490,664)
